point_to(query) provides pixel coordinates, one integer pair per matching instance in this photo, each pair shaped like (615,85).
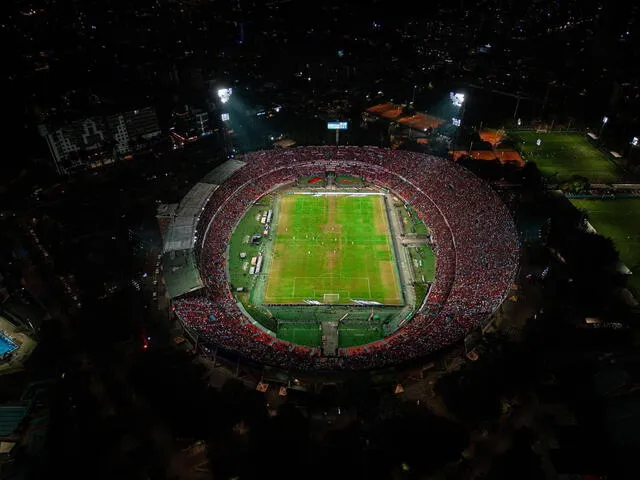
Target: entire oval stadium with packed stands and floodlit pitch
(337,258)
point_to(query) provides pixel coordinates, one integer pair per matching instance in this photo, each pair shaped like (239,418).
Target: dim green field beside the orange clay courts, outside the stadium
(567,154)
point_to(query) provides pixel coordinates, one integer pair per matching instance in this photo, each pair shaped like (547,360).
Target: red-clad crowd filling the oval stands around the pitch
(474,237)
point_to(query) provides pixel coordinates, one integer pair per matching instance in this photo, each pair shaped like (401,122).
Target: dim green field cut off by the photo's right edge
(620,220)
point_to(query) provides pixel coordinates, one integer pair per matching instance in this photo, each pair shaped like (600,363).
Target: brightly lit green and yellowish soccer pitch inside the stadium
(332,249)
